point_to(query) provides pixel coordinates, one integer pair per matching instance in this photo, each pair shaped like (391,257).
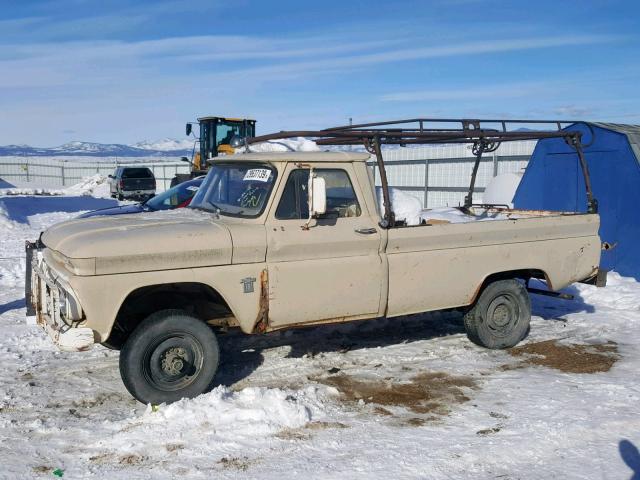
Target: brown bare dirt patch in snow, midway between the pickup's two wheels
(427,392)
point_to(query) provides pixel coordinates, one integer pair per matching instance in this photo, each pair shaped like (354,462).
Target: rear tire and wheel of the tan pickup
(501,316)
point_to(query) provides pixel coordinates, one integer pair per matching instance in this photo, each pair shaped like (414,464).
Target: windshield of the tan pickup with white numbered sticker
(236,189)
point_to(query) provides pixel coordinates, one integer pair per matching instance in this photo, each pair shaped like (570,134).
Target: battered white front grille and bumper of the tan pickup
(56,307)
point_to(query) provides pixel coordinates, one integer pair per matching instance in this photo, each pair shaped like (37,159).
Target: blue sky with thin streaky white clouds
(120,72)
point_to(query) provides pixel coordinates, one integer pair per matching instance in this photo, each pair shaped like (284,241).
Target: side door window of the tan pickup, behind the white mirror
(341,198)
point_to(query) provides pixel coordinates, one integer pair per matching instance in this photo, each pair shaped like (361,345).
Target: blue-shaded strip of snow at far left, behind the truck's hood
(20,208)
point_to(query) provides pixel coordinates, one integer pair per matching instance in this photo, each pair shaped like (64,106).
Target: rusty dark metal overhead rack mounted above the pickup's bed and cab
(484,135)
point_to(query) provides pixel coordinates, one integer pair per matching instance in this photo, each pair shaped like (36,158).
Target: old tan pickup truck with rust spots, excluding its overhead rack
(280,240)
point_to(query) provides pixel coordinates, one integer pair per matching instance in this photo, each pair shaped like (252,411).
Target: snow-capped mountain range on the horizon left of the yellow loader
(161,148)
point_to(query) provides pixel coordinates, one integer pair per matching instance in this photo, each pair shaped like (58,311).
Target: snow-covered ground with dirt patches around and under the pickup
(401,398)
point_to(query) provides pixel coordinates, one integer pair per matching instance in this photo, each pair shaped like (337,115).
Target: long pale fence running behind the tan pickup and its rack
(436,175)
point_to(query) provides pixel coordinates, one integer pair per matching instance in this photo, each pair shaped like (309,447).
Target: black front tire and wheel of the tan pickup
(169,356)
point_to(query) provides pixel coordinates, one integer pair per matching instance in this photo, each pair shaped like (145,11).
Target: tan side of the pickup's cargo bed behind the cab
(442,265)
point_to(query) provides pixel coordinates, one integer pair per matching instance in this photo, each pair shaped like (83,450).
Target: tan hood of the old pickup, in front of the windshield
(164,240)
